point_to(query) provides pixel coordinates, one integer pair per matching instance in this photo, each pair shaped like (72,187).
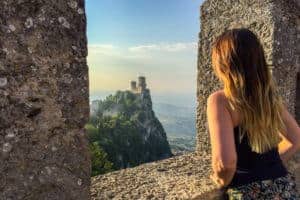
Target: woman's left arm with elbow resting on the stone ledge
(224,157)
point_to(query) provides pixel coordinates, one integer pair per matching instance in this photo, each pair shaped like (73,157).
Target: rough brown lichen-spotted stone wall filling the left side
(43,100)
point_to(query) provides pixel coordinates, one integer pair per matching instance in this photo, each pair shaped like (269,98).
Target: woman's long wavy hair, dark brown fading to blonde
(239,62)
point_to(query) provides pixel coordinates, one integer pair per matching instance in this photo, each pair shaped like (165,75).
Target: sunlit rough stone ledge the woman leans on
(179,177)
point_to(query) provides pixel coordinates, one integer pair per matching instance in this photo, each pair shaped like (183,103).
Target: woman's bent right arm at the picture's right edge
(291,142)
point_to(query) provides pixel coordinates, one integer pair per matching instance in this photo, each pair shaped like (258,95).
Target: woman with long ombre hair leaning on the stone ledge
(251,131)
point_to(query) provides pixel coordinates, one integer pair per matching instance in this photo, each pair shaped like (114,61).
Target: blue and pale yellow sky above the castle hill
(154,38)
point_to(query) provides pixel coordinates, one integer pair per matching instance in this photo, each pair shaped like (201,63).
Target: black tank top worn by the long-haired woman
(252,166)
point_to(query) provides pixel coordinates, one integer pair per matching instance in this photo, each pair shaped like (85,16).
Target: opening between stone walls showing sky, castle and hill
(142,61)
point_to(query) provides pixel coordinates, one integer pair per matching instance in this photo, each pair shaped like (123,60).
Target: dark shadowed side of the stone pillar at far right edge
(286,60)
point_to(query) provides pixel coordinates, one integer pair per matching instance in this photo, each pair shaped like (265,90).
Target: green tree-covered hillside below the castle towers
(119,138)
